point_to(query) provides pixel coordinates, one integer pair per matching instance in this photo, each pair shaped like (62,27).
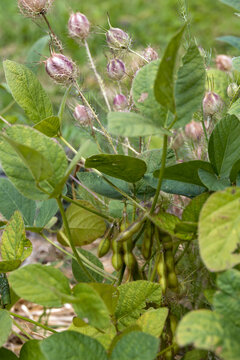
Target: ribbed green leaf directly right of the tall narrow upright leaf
(190,86)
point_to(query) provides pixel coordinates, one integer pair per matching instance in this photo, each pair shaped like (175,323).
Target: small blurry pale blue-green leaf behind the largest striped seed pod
(35,53)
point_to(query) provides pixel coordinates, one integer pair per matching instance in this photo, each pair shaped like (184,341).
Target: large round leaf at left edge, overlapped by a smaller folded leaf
(17,171)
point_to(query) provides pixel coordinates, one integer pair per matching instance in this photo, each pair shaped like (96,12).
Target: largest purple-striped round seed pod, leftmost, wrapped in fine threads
(61,68)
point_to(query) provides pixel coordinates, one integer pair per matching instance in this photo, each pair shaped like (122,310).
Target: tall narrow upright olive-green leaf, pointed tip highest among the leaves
(164,83)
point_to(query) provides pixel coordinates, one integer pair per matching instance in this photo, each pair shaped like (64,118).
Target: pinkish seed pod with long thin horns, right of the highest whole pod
(117,39)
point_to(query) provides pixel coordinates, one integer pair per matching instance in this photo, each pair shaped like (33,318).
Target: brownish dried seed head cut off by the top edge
(34,8)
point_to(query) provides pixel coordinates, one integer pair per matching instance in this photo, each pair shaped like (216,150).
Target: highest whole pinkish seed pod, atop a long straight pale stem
(78,26)
